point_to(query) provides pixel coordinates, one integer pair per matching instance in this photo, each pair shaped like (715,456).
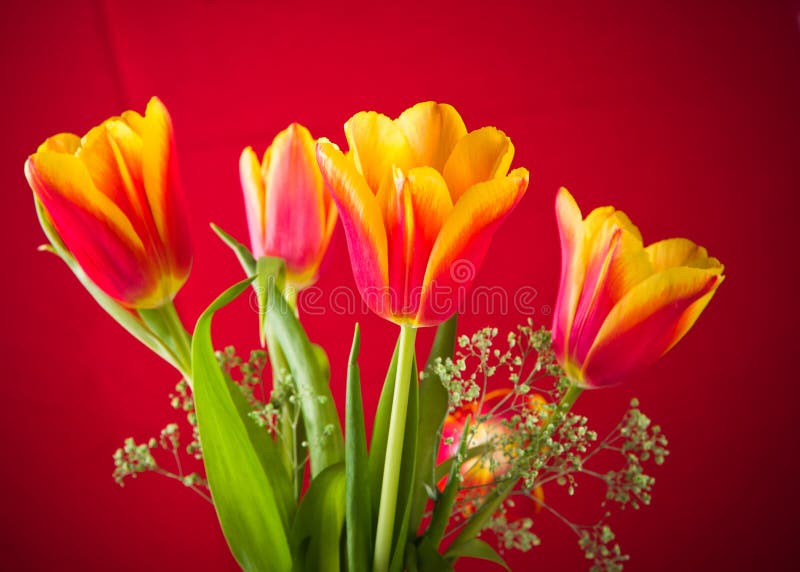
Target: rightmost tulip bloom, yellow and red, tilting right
(622,305)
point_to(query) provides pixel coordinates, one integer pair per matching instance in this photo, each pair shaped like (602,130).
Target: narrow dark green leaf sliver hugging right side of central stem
(408,466)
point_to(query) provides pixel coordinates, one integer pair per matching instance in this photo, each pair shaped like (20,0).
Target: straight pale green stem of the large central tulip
(394,450)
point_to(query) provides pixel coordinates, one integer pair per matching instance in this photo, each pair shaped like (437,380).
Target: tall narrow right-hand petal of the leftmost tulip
(163,188)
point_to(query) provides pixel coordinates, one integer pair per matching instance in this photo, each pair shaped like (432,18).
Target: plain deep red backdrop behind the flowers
(683,114)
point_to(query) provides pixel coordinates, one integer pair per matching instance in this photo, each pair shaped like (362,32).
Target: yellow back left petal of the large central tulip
(377,144)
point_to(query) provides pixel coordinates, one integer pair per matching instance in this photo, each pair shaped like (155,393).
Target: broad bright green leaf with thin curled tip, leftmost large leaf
(249,513)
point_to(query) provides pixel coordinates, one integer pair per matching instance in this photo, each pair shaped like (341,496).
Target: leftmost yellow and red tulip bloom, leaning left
(114,197)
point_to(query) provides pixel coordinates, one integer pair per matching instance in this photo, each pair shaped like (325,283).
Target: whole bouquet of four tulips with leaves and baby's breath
(458,441)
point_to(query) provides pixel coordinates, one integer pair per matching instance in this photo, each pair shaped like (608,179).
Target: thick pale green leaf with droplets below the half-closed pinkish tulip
(320,418)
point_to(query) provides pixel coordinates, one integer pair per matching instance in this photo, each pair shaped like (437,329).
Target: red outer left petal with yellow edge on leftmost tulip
(94,229)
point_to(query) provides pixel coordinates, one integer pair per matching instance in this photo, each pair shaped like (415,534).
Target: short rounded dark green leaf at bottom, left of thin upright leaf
(318,525)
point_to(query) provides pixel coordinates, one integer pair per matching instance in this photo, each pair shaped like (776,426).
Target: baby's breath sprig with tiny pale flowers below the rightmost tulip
(514,441)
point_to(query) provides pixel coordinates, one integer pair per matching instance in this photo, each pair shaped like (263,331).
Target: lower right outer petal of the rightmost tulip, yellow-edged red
(647,322)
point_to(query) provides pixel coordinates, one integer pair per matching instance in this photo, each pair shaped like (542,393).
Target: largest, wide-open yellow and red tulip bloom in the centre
(417,195)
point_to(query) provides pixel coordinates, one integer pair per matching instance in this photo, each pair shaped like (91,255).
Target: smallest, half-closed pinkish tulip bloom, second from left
(290,213)
